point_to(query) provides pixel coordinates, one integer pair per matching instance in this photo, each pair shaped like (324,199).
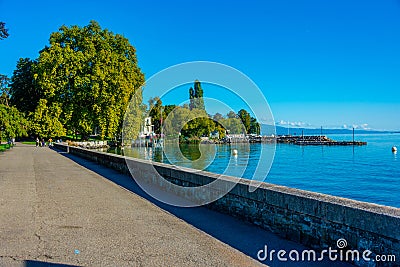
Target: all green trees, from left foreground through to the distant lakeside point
(87,81)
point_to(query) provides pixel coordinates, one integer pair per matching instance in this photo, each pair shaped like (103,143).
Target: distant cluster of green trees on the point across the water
(191,121)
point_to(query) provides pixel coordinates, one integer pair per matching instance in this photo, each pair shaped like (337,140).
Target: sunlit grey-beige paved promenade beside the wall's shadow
(54,210)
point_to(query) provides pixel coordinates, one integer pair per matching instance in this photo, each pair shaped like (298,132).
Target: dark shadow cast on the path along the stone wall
(240,235)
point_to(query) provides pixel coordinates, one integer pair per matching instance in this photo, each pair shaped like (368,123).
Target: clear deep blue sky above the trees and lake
(329,63)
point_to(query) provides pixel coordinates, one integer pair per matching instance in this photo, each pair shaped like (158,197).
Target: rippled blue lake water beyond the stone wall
(368,173)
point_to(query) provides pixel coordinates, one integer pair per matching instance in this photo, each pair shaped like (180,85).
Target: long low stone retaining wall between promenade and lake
(315,220)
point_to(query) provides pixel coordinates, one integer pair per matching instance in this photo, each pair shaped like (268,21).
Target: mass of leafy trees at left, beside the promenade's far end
(81,82)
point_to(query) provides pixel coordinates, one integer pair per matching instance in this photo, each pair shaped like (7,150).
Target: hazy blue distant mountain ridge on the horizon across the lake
(267,130)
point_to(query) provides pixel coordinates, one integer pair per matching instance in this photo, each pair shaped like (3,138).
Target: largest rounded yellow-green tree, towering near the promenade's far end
(91,74)
